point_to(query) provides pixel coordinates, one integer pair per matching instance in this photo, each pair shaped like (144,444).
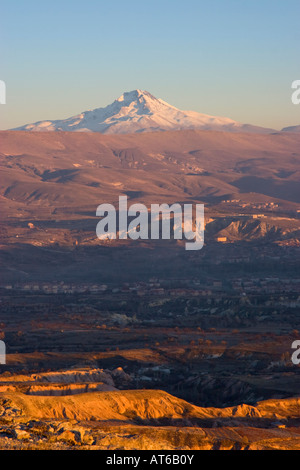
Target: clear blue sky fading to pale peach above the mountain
(234,58)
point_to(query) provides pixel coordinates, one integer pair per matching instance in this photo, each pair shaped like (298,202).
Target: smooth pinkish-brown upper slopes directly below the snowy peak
(74,170)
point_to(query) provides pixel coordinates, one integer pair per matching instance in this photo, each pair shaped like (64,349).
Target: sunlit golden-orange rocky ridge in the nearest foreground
(144,419)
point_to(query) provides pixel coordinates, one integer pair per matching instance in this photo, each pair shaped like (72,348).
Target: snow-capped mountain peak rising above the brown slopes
(139,111)
